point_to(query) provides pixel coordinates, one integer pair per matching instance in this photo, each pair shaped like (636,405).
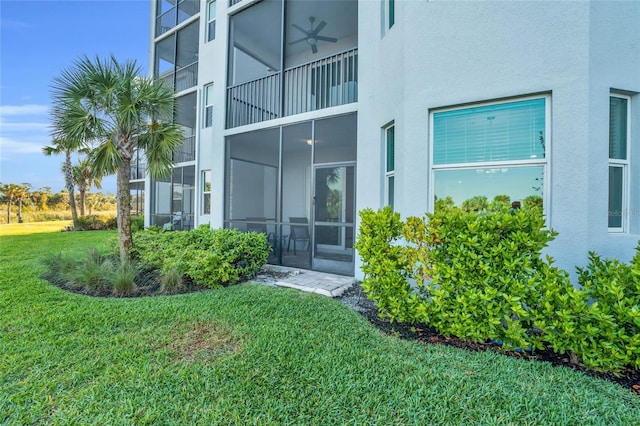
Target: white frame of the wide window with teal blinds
(545,162)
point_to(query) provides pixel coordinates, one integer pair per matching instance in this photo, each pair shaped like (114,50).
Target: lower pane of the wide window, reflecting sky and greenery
(476,189)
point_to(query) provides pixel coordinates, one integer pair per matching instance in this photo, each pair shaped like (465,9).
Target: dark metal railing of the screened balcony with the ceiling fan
(324,83)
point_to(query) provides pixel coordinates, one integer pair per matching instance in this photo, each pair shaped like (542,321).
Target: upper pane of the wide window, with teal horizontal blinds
(500,132)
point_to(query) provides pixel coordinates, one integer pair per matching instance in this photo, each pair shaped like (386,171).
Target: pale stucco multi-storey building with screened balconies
(300,113)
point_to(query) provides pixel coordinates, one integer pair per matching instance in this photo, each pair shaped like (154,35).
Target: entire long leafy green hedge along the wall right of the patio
(482,277)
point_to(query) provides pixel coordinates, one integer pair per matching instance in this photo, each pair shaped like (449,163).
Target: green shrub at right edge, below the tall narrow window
(607,335)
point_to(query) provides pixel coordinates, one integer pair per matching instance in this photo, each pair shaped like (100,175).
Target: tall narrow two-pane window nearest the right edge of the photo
(618,162)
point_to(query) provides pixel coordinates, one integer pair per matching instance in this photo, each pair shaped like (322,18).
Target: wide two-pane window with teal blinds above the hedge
(490,155)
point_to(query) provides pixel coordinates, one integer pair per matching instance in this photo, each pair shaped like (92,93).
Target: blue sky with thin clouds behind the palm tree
(38,39)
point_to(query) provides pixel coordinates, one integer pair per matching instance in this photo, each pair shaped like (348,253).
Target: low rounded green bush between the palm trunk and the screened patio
(209,257)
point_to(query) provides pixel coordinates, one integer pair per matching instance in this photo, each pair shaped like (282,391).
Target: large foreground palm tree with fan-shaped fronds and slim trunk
(107,104)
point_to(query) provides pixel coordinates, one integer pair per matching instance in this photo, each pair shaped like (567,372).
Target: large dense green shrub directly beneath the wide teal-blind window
(489,280)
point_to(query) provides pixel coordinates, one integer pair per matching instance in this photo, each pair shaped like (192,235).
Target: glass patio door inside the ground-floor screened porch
(333,219)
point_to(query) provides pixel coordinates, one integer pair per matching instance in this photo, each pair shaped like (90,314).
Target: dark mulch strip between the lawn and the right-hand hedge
(423,333)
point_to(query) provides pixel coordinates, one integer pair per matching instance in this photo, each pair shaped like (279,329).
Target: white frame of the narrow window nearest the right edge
(622,164)
